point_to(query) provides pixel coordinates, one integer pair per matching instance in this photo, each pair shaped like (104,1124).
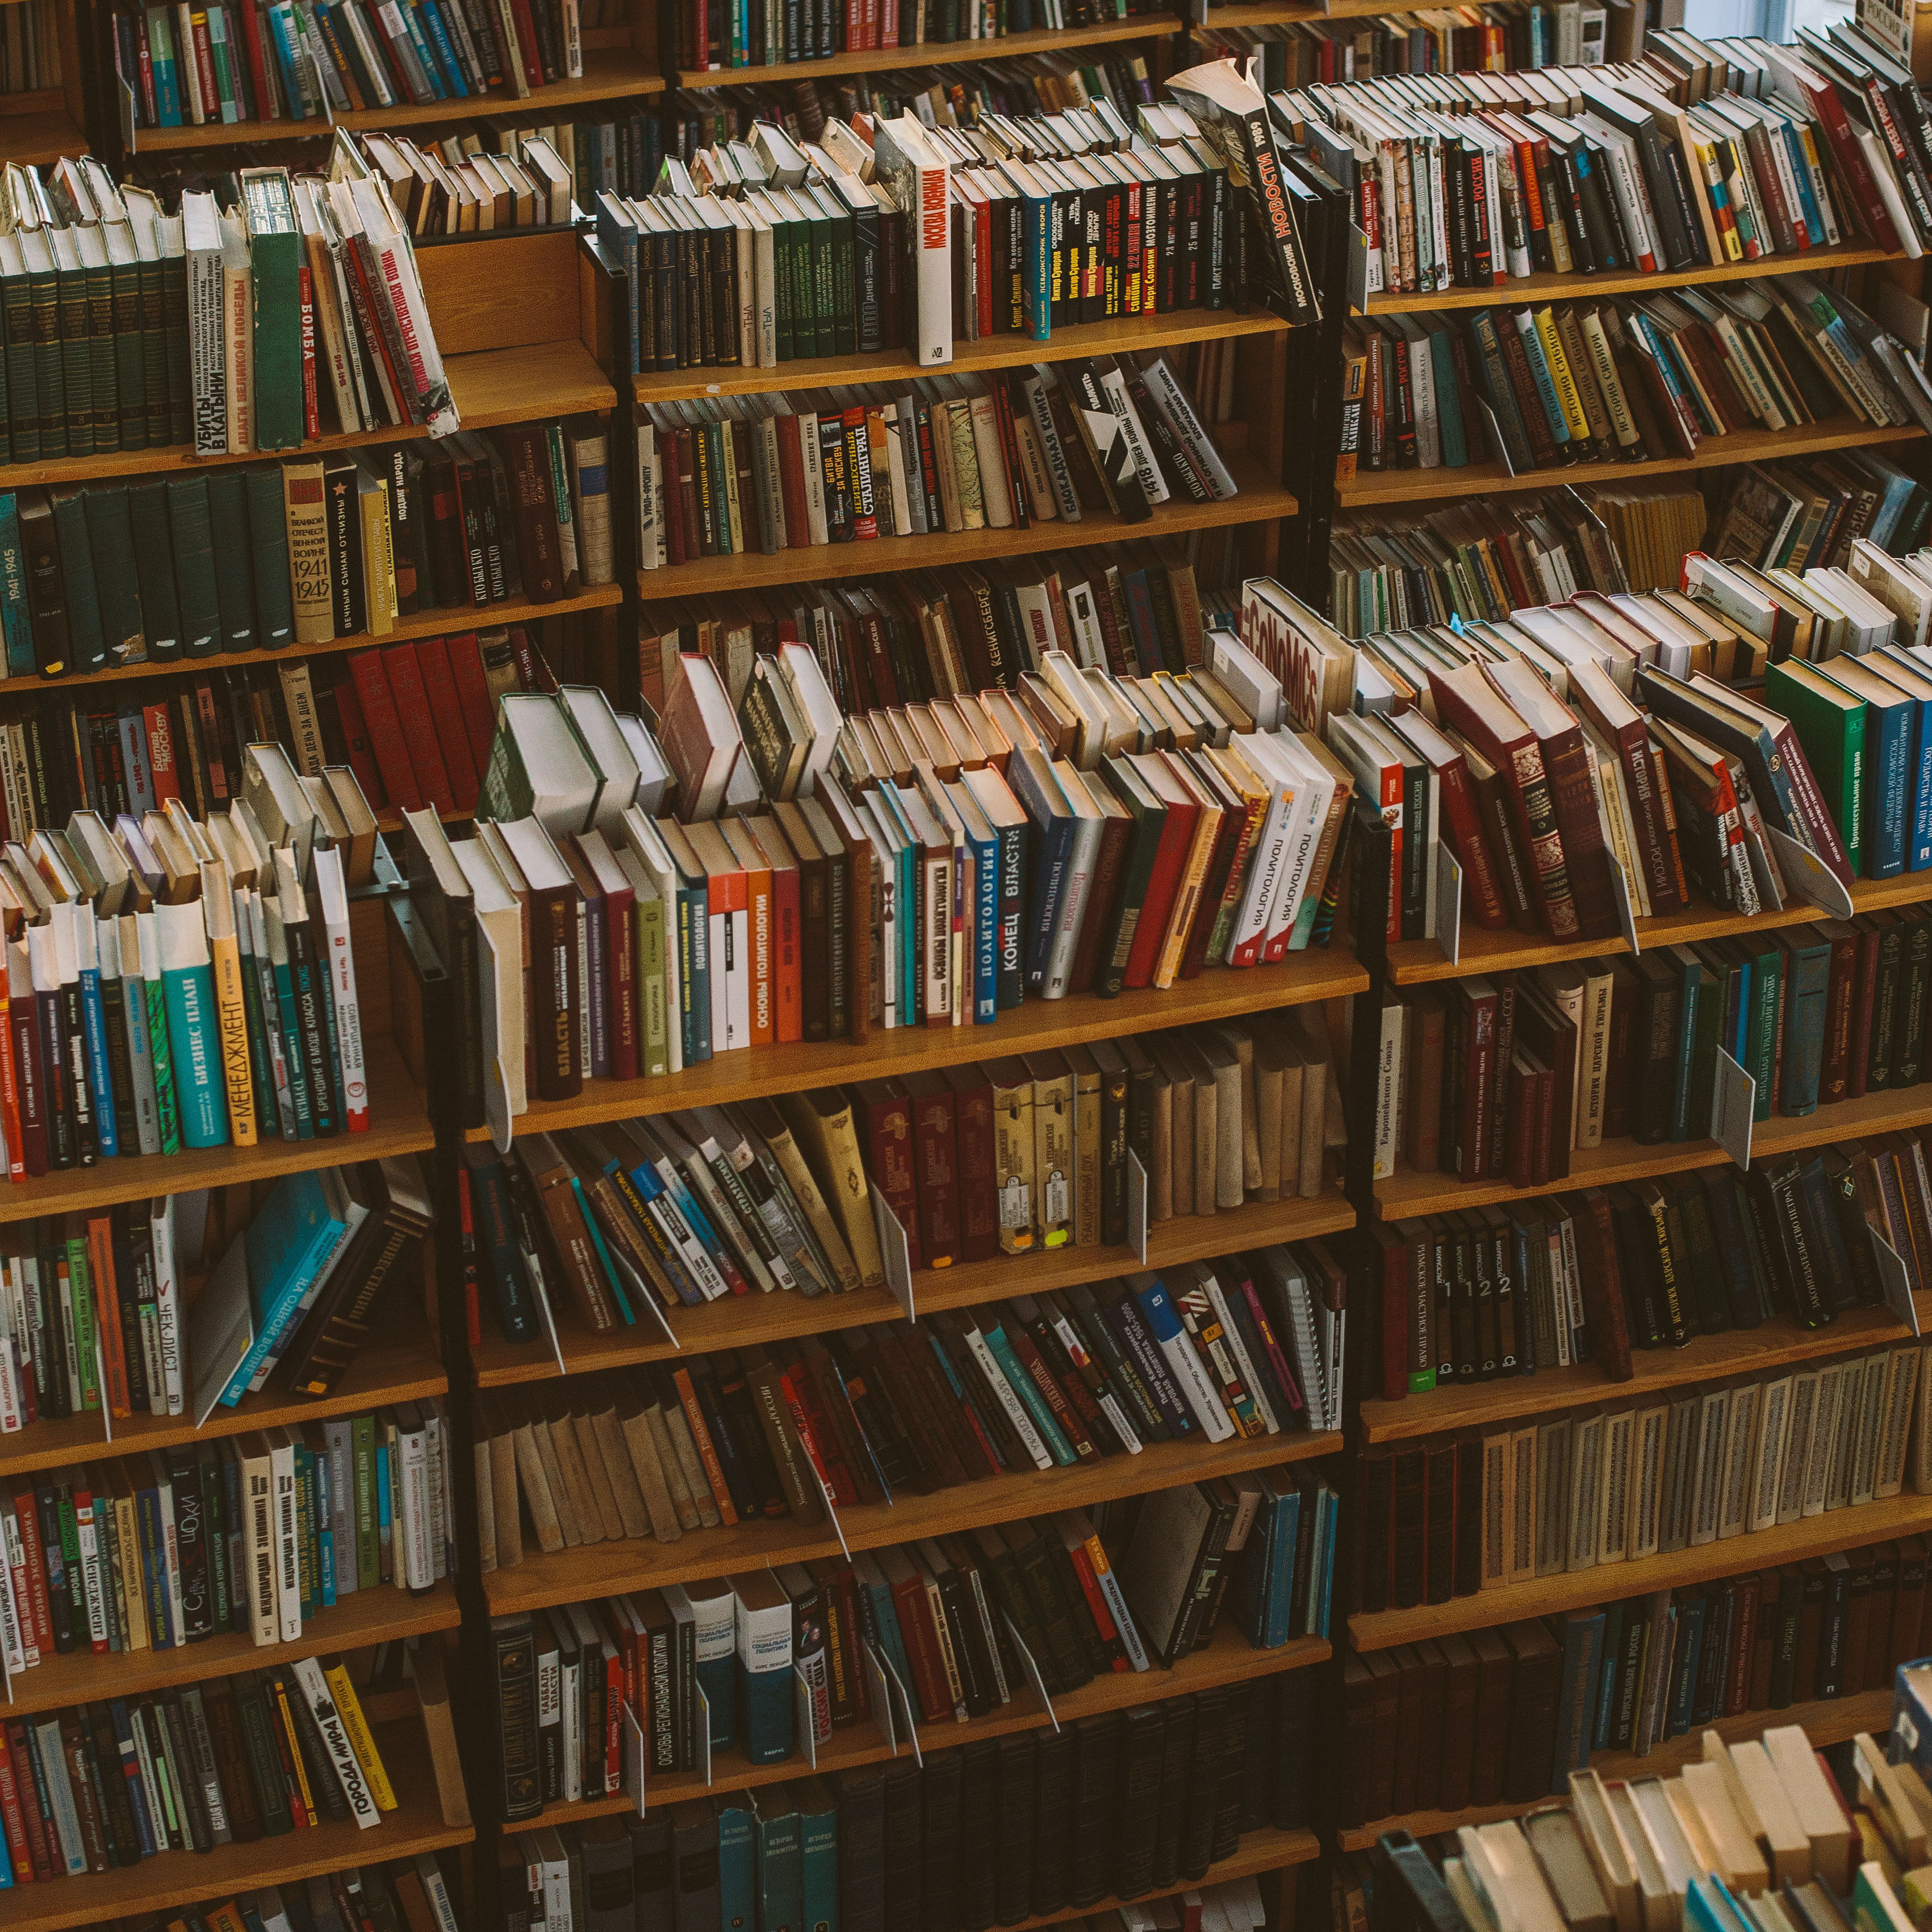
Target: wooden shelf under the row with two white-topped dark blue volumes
(1230,1659)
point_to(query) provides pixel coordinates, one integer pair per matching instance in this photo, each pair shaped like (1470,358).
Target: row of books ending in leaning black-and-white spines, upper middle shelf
(938,457)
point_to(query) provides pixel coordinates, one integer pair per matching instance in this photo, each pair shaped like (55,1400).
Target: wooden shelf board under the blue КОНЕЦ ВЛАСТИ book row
(1037,1027)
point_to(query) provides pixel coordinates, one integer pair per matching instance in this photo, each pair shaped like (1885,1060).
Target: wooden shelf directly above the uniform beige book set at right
(1483,1406)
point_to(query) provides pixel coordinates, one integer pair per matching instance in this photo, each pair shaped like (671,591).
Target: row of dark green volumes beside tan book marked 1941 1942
(254,559)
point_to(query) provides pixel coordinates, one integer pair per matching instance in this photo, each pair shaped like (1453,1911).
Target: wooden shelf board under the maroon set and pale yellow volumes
(737,1322)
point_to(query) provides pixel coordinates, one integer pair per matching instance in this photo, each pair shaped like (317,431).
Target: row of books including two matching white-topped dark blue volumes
(940,1632)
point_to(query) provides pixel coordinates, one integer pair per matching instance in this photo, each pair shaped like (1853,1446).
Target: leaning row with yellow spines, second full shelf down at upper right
(1620,382)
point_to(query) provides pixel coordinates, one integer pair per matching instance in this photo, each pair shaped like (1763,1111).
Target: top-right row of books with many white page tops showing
(1634,167)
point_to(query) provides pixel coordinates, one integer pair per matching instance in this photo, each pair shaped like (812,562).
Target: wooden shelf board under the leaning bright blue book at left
(403,1365)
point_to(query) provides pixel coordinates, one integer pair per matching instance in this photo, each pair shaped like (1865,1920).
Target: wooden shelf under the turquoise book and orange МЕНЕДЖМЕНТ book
(399,1123)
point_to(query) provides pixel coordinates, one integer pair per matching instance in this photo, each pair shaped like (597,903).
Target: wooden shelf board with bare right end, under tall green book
(488,387)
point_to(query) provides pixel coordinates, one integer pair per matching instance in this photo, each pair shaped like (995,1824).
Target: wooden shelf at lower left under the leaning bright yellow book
(185,1877)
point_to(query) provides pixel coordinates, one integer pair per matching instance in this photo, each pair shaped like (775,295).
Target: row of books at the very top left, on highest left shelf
(271,63)
